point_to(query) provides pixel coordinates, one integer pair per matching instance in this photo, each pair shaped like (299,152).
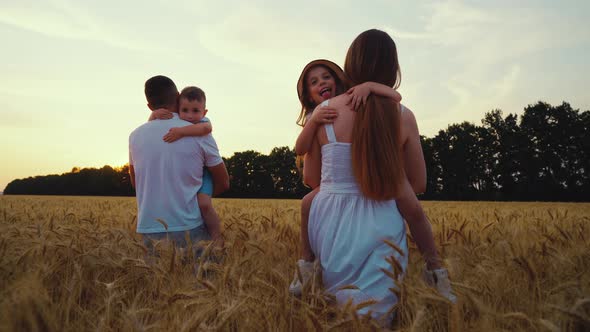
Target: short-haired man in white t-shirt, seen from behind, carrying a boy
(167,176)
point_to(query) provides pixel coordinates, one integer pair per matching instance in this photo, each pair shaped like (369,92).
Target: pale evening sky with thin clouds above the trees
(71,88)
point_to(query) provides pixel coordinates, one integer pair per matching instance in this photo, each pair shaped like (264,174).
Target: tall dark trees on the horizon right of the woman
(543,155)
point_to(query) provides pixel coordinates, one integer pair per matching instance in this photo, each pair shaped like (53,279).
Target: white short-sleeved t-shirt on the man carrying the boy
(168,175)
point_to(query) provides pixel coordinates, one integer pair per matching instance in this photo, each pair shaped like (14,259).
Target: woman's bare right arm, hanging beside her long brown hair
(414,163)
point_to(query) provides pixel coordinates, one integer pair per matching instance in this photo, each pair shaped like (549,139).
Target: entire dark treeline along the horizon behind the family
(542,155)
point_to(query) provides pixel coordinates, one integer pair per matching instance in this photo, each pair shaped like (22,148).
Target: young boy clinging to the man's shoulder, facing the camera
(192,108)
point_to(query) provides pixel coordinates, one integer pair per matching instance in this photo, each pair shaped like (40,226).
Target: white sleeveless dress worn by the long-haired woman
(346,232)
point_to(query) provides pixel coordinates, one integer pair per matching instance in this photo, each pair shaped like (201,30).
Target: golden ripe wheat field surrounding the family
(76,264)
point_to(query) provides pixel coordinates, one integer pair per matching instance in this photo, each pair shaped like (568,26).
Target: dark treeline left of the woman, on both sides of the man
(252,175)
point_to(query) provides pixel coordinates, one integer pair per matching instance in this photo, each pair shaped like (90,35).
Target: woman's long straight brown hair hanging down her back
(376,144)
